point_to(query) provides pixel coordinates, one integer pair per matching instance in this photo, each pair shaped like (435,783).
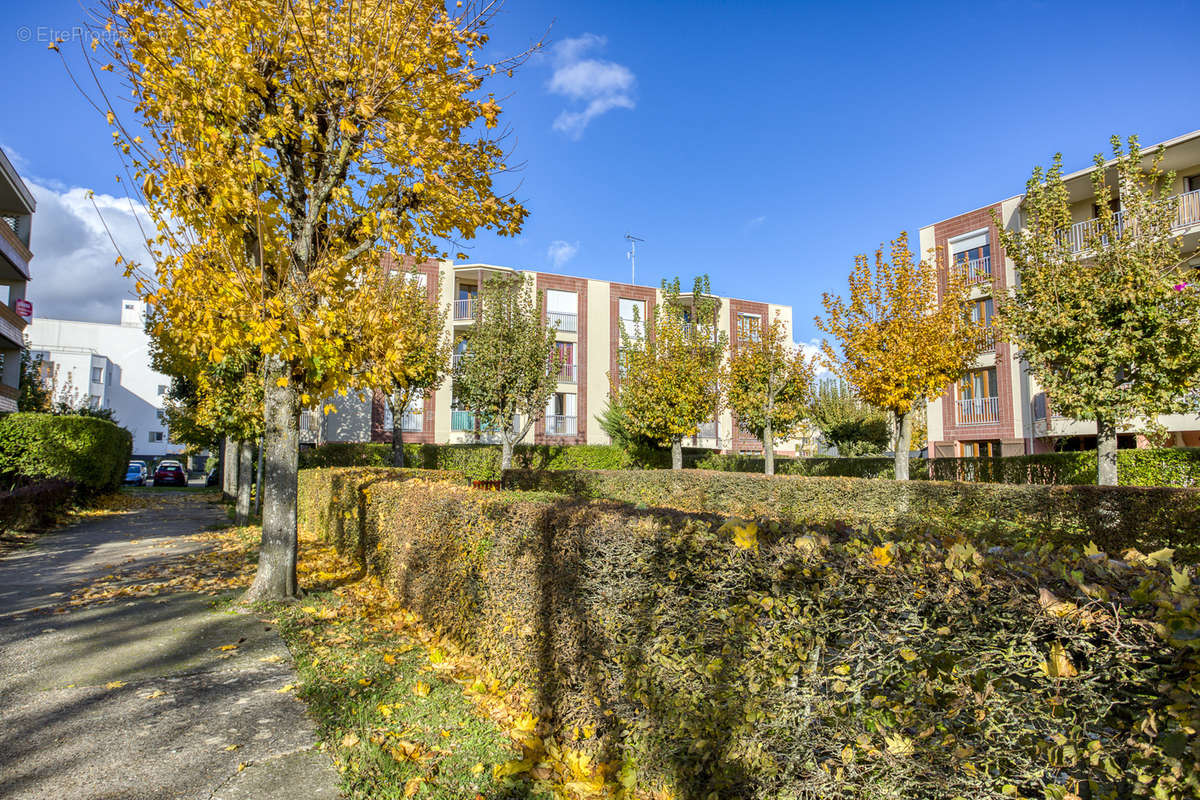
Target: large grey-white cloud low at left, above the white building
(75,275)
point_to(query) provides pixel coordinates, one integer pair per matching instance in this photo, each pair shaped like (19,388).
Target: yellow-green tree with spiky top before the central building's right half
(670,384)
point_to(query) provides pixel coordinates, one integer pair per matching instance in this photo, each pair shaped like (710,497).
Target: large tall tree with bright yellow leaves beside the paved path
(292,142)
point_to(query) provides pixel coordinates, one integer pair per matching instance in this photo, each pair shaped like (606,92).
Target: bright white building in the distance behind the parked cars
(109,366)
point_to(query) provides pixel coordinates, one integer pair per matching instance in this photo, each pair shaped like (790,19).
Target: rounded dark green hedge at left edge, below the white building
(86,450)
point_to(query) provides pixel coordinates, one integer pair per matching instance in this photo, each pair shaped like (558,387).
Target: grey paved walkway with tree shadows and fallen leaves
(136,700)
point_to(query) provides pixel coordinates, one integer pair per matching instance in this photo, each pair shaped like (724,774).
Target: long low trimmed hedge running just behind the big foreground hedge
(1114,518)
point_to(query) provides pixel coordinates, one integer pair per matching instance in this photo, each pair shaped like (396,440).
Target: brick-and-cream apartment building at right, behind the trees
(998,408)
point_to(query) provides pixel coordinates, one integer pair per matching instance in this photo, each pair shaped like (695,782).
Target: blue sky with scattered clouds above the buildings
(765,145)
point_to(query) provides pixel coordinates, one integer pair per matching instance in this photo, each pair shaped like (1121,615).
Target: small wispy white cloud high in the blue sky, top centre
(601,86)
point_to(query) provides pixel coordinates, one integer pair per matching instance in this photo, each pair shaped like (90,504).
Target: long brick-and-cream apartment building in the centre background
(587,316)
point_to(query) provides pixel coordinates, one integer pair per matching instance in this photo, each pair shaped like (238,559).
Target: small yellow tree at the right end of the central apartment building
(769,384)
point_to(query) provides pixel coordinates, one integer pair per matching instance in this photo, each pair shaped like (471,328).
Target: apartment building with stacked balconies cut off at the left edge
(17,207)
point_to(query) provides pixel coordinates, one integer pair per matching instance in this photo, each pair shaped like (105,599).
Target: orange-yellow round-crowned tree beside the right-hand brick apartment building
(904,335)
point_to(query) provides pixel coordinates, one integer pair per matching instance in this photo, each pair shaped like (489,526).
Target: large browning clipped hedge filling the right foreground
(765,659)
